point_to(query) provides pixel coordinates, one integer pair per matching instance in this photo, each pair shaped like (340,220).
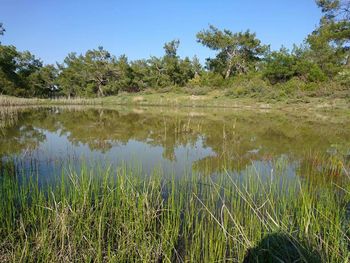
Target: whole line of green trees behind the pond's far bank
(324,56)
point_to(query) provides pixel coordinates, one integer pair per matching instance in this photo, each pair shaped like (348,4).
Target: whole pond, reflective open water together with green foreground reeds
(171,194)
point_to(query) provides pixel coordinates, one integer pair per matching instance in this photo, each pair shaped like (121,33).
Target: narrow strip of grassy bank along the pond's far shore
(214,99)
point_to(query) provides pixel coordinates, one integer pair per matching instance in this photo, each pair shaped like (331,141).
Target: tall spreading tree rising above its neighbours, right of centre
(237,52)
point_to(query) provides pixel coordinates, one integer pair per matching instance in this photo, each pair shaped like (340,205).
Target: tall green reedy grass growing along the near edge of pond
(122,215)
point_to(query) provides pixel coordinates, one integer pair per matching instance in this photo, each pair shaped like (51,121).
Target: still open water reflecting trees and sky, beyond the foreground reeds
(178,141)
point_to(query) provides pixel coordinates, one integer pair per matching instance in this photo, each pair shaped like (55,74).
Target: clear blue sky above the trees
(139,29)
